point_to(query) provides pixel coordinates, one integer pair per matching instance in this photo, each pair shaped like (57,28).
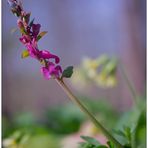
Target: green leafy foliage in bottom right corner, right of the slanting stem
(130,128)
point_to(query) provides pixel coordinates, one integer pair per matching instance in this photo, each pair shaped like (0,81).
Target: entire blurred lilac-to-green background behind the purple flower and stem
(76,29)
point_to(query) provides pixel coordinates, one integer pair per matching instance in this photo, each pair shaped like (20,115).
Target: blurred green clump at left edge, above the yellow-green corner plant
(25,122)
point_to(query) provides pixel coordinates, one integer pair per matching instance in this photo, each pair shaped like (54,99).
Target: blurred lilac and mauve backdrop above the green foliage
(76,28)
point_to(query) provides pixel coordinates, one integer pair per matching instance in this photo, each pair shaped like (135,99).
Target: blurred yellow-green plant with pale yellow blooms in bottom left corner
(24,139)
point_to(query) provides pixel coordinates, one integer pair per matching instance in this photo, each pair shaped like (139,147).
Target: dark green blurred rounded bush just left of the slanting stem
(64,119)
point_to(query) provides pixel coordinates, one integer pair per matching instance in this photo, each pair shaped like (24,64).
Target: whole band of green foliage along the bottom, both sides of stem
(24,129)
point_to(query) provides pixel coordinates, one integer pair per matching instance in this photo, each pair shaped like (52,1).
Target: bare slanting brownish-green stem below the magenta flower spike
(84,109)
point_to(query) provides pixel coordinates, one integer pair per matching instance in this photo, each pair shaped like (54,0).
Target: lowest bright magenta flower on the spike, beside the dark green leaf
(51,70)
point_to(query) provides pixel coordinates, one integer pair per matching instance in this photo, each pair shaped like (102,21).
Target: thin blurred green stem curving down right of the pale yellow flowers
(129,84)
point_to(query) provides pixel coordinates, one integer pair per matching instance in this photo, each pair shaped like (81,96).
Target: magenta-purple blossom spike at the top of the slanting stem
(30,35)
